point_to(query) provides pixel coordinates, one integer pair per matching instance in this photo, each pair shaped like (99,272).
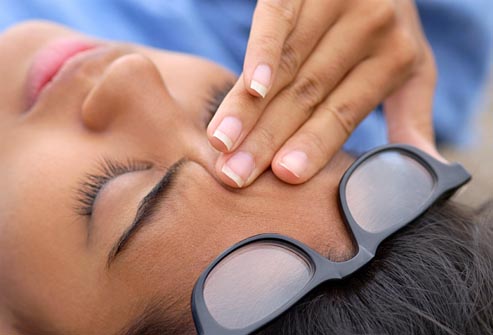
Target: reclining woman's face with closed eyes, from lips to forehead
(121,117)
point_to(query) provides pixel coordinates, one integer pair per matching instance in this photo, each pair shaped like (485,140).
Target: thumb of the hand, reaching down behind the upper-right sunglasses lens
(408,110)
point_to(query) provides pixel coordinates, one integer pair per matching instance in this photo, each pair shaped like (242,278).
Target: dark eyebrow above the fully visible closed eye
(147,208)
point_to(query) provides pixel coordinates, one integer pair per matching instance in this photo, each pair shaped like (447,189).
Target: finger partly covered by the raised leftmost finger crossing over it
(240,110)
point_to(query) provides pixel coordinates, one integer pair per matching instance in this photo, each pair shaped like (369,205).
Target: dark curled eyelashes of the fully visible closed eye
(94,182)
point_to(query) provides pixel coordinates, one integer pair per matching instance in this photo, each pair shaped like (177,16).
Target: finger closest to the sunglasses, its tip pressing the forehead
(312,146)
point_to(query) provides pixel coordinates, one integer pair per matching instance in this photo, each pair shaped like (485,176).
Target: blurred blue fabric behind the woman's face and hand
(460,32)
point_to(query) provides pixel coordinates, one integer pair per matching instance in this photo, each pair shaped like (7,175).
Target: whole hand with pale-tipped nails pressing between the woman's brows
(313,70)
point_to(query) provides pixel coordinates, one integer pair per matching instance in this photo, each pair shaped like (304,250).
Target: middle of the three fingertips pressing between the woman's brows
(331,61)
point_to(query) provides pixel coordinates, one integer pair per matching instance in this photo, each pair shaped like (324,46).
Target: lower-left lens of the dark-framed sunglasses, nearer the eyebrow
(253,282)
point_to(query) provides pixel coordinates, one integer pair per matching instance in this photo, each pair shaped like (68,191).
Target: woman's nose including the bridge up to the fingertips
(132,103)
